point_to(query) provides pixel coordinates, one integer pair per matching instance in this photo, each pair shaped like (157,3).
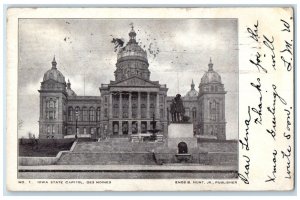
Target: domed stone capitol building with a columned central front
(128,104)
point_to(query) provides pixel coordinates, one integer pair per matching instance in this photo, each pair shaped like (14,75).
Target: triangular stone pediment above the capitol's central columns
(135,81)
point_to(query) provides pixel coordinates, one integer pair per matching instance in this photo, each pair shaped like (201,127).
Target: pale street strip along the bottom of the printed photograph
(127,172)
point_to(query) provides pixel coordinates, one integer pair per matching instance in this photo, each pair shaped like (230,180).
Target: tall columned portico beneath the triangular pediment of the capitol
(133,99)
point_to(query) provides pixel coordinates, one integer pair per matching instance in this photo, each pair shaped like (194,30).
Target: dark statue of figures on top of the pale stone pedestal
(177,109)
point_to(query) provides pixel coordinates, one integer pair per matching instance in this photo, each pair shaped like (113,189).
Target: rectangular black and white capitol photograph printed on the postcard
(128,98)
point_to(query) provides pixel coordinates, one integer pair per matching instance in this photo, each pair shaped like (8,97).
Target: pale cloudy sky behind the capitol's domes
(83,48)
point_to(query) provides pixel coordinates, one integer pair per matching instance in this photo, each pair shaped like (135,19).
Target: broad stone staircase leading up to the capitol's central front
(111,151)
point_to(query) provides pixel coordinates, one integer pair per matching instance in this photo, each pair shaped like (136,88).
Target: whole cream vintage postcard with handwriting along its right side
(150,99)
